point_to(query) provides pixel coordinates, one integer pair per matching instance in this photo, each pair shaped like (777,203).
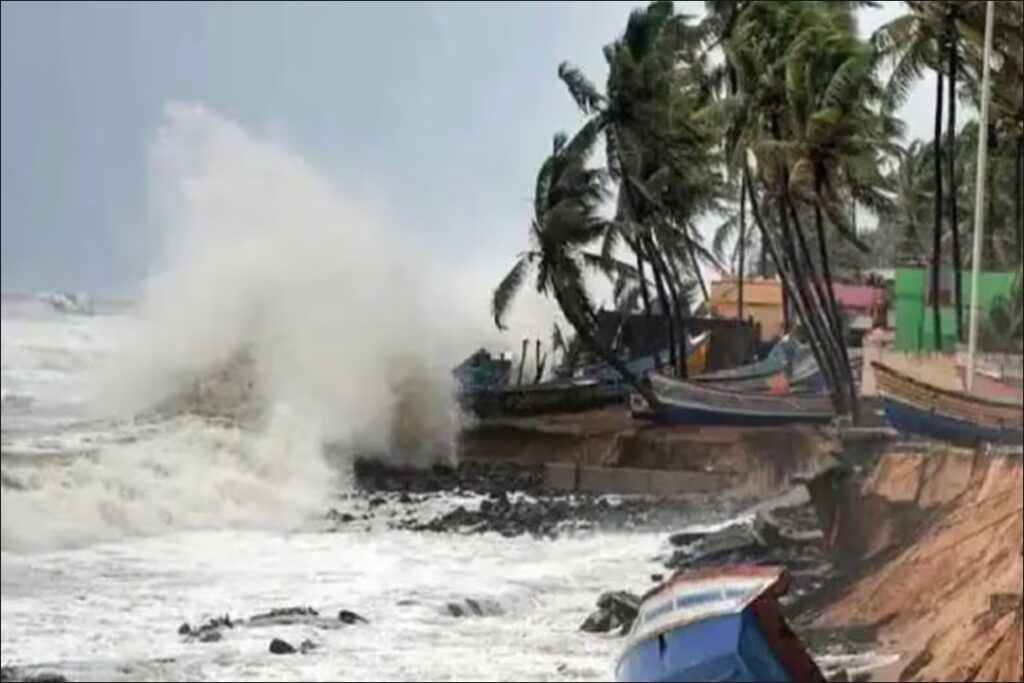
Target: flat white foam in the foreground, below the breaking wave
(401,582)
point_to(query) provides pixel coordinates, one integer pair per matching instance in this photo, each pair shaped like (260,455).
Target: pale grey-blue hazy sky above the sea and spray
(436,115)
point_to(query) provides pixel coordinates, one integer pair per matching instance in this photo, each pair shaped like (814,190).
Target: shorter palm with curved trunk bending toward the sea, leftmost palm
(568,199)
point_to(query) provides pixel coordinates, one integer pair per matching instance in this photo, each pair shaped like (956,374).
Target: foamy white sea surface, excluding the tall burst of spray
(118,530)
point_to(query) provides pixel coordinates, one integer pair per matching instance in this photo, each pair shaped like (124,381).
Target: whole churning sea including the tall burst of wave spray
(164,462)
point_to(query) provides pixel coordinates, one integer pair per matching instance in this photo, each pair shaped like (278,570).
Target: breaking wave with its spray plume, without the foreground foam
(279,318)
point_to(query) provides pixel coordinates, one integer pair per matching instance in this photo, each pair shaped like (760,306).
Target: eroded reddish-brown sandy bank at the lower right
(941,538)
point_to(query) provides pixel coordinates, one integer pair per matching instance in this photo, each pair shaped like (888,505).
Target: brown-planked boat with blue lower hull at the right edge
(919,408)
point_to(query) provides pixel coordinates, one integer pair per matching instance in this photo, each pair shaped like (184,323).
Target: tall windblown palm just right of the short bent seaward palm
(657,153)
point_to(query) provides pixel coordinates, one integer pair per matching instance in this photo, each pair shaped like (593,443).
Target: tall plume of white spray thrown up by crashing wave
(260,255)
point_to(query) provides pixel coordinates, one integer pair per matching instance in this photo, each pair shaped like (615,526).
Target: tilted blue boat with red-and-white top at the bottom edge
(716,625)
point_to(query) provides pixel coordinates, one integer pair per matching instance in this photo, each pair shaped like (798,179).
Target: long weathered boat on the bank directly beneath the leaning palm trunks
(691,404)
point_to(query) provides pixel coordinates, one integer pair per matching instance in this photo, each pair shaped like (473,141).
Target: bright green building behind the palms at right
(912,302)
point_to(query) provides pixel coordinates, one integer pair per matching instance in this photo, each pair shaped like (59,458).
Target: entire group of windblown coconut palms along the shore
(777,122)
